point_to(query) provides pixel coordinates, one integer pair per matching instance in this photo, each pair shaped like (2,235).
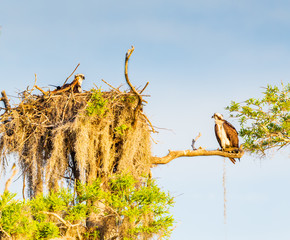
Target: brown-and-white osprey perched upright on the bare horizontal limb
(226,133)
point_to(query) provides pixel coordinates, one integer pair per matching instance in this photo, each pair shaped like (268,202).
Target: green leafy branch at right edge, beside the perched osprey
(265,122)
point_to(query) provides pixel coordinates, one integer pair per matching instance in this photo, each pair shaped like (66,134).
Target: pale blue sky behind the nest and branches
(197,56)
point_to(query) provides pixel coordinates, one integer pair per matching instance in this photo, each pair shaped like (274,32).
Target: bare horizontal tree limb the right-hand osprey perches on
(195,153)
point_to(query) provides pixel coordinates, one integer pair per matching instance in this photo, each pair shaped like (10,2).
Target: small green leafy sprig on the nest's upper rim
(97,104)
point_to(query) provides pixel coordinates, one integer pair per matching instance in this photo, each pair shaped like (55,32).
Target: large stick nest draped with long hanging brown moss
(57,137)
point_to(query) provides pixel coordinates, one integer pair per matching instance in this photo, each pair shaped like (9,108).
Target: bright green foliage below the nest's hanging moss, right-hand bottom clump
(142,207)
